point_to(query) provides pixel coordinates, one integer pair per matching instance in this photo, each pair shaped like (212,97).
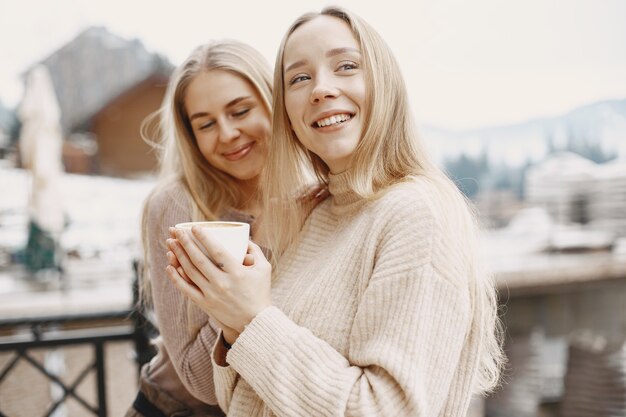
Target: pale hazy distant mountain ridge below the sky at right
(601,124)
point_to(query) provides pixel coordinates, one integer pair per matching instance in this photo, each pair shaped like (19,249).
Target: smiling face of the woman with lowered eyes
(229,121)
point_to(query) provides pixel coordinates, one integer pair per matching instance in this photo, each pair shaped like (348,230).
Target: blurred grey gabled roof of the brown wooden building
(96,67)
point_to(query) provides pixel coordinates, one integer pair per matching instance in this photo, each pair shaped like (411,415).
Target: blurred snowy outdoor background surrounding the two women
(523,103)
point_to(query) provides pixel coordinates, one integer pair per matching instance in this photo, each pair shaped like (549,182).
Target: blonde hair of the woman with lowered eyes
(168,130)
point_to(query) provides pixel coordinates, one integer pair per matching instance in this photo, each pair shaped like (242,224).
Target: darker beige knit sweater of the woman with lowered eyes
(182,365)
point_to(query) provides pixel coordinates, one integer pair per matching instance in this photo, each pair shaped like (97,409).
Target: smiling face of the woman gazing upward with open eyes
(325,89)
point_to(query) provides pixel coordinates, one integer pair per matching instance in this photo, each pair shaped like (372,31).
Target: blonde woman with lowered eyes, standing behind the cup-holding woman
(212,134)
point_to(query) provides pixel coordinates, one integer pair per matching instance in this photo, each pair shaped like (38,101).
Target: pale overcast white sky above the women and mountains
(467,63)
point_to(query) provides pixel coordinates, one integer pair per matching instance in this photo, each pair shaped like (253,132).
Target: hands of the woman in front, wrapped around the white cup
(231,293)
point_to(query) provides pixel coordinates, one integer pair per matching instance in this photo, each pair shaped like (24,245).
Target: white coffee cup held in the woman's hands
(233,236)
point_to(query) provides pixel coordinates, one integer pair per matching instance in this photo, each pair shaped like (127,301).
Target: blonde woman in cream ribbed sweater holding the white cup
(376,304)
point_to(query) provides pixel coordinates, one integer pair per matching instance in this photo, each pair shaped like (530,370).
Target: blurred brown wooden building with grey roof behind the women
(106,86)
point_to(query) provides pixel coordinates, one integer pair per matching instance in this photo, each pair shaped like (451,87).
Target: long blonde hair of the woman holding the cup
(389,152)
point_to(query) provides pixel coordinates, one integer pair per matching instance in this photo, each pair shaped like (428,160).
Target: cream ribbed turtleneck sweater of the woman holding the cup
(372,316)
